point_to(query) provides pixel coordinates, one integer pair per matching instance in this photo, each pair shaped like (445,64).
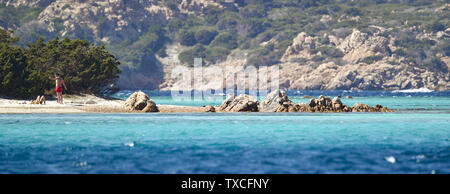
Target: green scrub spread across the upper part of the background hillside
(245,24)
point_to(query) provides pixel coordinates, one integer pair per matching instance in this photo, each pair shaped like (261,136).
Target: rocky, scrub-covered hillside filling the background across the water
(324,44)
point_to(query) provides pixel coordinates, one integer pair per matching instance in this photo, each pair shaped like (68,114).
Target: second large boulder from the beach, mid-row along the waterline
(241,103)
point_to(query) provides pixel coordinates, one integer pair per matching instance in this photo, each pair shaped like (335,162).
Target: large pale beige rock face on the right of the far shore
(388,72)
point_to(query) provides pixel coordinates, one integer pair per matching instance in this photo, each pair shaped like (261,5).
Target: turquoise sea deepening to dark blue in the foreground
(414,139)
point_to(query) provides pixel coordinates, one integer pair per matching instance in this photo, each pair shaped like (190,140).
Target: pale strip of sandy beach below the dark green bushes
(80,104)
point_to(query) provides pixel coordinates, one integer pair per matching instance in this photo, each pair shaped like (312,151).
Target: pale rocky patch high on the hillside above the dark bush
(116,16)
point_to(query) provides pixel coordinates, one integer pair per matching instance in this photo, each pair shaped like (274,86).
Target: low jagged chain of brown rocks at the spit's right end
(326,104)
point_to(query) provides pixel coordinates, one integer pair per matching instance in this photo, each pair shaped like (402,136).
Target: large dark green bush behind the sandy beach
(25,71)
